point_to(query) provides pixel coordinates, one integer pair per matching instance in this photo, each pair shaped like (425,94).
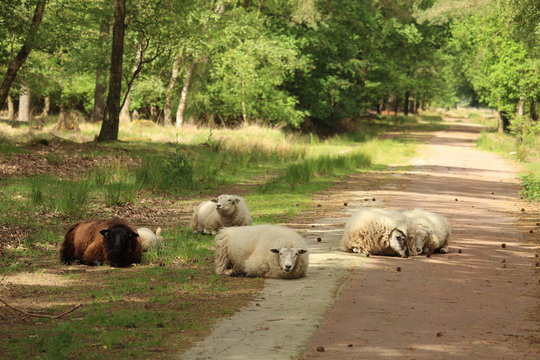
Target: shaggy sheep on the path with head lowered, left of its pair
(376,231)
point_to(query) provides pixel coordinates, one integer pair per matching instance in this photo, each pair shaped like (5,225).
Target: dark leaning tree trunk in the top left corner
(23,53)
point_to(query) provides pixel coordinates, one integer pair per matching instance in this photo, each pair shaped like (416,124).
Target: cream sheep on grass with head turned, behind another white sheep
(226,210)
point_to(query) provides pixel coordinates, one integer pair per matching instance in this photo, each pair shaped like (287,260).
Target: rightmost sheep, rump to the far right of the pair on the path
(428,232)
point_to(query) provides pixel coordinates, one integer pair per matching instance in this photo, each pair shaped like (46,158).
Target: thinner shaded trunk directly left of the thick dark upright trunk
(101,74)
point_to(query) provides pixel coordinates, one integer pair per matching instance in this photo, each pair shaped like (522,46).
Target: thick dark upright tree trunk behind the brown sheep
(109,127)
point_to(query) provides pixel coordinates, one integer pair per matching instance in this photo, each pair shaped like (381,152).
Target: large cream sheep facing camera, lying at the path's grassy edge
(269,251)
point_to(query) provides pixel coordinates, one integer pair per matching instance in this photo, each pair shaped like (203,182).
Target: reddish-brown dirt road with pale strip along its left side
(478,302)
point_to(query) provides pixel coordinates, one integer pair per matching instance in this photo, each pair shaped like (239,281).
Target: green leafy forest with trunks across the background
(307,65)
